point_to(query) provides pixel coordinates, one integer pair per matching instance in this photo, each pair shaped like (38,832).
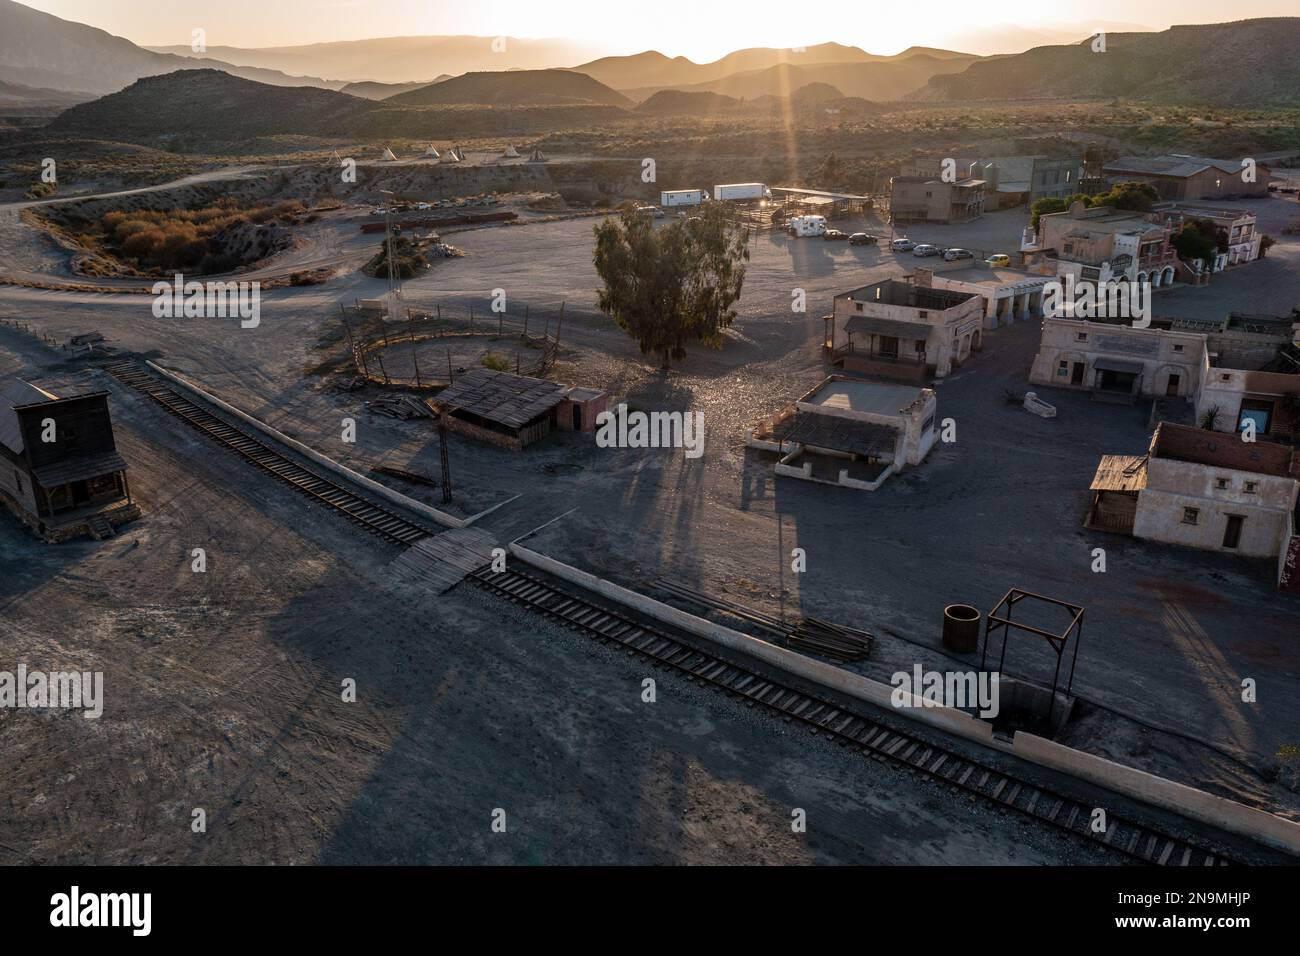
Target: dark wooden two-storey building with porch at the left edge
(60,471)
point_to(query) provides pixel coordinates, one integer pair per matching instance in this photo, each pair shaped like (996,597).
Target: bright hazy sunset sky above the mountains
(700,31)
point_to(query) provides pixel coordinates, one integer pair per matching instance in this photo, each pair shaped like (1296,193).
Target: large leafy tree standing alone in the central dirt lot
(673,284)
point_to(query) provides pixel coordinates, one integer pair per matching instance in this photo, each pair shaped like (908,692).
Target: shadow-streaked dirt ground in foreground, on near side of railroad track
(224,694)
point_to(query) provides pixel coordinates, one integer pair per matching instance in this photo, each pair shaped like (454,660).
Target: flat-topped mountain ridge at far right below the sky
(1250,63)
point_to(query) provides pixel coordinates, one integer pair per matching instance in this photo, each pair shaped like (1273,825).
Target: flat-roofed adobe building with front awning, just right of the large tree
(904,328)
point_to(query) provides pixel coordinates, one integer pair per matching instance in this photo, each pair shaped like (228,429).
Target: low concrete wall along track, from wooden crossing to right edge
(1138,785)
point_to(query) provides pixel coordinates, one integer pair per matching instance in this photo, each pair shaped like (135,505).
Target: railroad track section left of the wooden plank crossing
(375,518)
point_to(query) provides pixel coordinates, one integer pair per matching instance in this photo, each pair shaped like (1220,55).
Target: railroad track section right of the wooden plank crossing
(1128,838)
